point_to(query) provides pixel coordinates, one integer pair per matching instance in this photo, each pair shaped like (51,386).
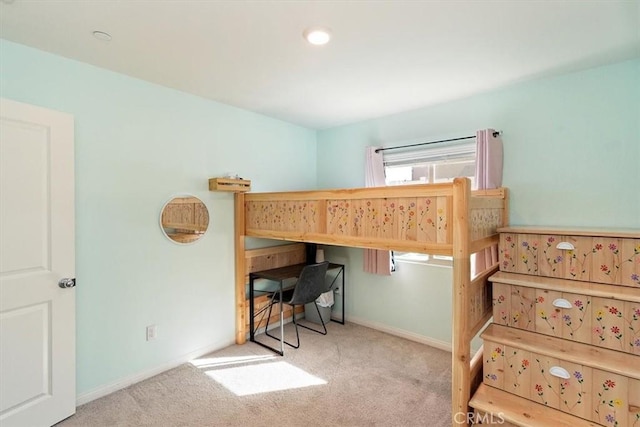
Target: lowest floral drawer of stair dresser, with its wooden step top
(571,377)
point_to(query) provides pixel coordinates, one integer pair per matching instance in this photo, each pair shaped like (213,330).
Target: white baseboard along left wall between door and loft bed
(141,376)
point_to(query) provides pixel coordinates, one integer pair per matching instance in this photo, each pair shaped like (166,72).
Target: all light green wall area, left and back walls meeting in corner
(572,157)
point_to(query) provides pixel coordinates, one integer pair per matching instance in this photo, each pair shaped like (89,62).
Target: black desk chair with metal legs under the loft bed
(310,285)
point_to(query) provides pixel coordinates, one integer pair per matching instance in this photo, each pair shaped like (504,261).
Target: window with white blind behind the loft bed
(439,163)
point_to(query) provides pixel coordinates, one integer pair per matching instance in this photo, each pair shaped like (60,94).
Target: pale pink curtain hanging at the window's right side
(488,176)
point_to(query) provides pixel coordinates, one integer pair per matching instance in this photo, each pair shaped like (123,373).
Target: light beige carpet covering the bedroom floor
(354,376)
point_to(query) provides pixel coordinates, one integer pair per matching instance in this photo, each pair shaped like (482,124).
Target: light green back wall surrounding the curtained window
(572,158)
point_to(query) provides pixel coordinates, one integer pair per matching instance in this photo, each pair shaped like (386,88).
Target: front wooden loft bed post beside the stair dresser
(461,345)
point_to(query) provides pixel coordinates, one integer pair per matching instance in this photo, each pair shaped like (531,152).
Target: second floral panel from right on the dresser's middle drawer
(608,324)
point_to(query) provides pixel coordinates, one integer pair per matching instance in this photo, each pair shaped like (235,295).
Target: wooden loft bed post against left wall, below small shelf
(241,297)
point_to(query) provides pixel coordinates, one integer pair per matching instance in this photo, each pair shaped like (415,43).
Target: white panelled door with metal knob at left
(37,317)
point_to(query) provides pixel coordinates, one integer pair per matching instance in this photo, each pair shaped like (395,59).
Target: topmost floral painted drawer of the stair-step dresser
(610,260)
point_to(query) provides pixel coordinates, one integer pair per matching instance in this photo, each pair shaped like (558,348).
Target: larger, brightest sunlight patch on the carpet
(263,378)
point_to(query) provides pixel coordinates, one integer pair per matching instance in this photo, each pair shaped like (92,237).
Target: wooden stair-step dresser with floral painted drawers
(564,345)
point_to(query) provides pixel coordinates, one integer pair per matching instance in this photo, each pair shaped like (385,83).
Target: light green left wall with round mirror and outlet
(137,144)
